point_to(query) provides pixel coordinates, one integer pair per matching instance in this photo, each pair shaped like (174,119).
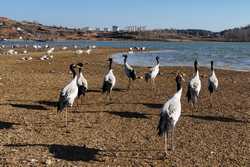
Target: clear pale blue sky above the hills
(214,15)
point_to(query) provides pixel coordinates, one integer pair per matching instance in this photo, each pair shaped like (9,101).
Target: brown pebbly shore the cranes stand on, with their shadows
(123,132)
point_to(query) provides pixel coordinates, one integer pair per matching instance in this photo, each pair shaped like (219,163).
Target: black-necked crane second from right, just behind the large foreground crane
(194,86)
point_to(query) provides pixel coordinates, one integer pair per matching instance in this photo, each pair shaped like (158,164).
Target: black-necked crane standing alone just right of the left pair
(109,80)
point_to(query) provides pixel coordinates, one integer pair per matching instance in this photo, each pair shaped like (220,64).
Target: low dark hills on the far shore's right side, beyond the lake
(231,35)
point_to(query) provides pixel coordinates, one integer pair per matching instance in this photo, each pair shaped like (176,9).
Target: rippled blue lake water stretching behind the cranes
(228,55)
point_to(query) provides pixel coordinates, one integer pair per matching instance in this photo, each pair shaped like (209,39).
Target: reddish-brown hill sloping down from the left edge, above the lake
(12,29)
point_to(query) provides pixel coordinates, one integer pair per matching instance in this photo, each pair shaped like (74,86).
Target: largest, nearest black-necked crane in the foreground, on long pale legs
(170,114)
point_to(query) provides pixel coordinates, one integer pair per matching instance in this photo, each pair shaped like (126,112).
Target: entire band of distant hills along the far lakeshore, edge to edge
(12,29)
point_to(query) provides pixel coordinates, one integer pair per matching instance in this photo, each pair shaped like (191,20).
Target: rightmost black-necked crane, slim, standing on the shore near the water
(212,82)
